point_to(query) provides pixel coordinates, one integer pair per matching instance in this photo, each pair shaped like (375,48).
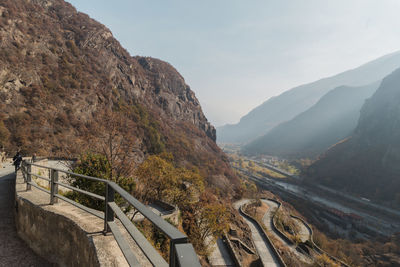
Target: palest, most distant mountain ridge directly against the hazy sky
(291,103)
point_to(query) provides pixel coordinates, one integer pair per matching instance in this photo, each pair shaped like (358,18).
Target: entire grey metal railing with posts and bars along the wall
(181,251)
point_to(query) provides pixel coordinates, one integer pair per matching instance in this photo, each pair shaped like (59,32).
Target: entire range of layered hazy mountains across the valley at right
(349,124)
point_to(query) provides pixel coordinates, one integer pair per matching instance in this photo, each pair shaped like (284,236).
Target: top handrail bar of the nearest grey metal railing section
(172,233)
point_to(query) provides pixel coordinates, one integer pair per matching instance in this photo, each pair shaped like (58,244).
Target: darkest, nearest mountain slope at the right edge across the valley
(368,163)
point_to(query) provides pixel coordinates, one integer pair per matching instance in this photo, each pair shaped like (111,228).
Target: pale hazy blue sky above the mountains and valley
(237,54)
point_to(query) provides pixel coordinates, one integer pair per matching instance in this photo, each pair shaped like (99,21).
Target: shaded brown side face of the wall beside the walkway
(53,236)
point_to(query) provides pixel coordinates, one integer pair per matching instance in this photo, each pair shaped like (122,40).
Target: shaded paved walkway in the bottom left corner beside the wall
(13,251)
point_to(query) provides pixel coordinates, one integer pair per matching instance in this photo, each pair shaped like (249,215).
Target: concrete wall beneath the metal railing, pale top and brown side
(64,234)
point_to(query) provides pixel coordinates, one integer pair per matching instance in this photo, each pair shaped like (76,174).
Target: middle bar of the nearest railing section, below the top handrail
(151,253)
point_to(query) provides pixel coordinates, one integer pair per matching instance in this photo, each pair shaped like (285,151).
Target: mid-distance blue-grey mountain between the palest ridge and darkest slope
(331,119)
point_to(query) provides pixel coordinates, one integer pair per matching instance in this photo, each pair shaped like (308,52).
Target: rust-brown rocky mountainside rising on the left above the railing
(65,83)
